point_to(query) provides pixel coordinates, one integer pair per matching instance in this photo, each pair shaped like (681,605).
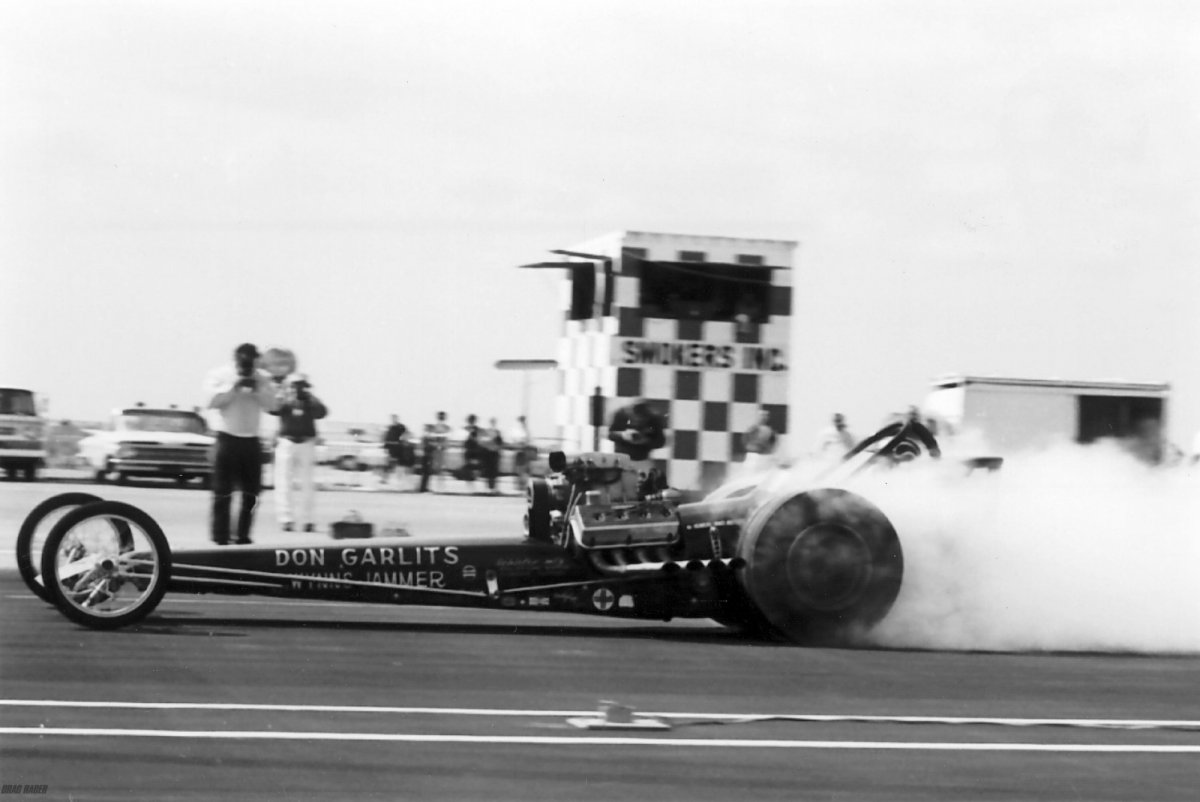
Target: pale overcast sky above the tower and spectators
(986,188)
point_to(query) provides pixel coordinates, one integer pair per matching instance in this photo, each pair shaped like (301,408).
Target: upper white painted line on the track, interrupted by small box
(697,719)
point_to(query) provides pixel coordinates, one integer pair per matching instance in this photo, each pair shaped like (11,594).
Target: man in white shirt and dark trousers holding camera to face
(239,393)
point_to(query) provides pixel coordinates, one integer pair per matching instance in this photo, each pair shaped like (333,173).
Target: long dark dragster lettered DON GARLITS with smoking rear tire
(815,566)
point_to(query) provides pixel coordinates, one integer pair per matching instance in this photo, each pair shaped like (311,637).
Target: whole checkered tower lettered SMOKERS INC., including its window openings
(698,326)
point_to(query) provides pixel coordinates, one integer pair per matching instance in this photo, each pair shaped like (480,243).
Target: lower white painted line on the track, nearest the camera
(530,740)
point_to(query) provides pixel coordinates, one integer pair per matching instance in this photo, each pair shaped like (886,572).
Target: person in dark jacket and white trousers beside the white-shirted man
(296,453)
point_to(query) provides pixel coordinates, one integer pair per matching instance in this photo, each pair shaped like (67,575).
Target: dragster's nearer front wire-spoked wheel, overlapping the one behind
(106,566)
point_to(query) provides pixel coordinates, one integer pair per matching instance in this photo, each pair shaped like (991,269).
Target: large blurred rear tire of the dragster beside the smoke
(821,566)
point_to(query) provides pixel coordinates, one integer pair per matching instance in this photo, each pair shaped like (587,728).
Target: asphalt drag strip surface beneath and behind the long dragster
(239,698)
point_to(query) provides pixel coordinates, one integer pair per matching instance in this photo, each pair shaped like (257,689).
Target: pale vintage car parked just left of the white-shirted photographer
(151,442)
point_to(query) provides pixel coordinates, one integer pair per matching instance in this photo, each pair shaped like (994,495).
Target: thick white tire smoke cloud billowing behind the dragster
(1081,549)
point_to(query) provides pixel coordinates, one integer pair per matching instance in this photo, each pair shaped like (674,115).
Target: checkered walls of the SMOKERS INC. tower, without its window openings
(709,378)
